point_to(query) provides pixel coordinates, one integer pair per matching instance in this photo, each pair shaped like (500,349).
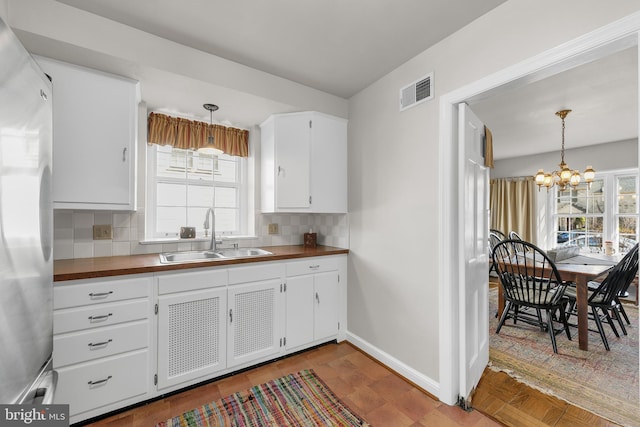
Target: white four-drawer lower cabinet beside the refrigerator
(101,343)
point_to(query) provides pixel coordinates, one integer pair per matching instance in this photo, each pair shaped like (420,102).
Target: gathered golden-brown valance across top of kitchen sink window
(191,134)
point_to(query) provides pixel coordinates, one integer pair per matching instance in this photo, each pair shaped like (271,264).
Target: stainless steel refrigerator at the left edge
(26,227)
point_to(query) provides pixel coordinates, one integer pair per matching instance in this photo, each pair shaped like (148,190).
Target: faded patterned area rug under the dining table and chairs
(600,381)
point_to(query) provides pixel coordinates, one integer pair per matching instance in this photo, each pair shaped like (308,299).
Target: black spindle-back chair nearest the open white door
(531,285)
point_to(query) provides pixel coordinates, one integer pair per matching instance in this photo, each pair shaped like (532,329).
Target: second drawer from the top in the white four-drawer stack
(95,316)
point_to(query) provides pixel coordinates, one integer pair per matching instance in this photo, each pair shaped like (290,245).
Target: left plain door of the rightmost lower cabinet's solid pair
(299,311)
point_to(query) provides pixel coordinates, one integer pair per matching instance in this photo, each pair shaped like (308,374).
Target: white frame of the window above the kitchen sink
(241,185)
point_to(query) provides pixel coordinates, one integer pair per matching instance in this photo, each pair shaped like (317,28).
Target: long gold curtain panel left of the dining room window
(512,203)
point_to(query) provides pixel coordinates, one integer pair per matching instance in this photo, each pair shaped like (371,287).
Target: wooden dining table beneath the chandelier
(580,270)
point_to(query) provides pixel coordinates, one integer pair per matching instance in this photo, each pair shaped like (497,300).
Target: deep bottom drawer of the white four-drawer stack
(102,382)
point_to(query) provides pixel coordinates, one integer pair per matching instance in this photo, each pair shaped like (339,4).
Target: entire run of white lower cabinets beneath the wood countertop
(114,338)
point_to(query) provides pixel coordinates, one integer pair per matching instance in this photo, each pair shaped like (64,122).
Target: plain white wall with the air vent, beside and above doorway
(393,171)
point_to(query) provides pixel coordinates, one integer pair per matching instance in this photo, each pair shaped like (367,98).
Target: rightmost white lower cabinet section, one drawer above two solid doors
(312,301)
